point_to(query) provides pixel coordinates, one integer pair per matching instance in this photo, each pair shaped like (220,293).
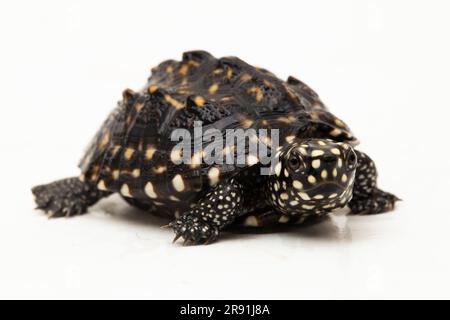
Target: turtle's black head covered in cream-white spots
(313,175)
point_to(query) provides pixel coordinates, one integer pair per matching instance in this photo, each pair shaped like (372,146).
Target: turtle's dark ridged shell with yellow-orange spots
(133,153)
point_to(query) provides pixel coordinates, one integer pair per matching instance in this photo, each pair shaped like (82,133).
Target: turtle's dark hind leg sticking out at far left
(67,197)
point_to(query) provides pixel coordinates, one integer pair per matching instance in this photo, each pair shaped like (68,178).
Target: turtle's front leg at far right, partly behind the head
(367,198)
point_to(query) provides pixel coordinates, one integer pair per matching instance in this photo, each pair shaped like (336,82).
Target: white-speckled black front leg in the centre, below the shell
(216,210)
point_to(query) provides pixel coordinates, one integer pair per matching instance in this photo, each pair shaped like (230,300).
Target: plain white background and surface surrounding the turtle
(382,66)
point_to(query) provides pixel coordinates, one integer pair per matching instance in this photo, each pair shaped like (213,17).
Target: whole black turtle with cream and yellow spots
(315,167)
